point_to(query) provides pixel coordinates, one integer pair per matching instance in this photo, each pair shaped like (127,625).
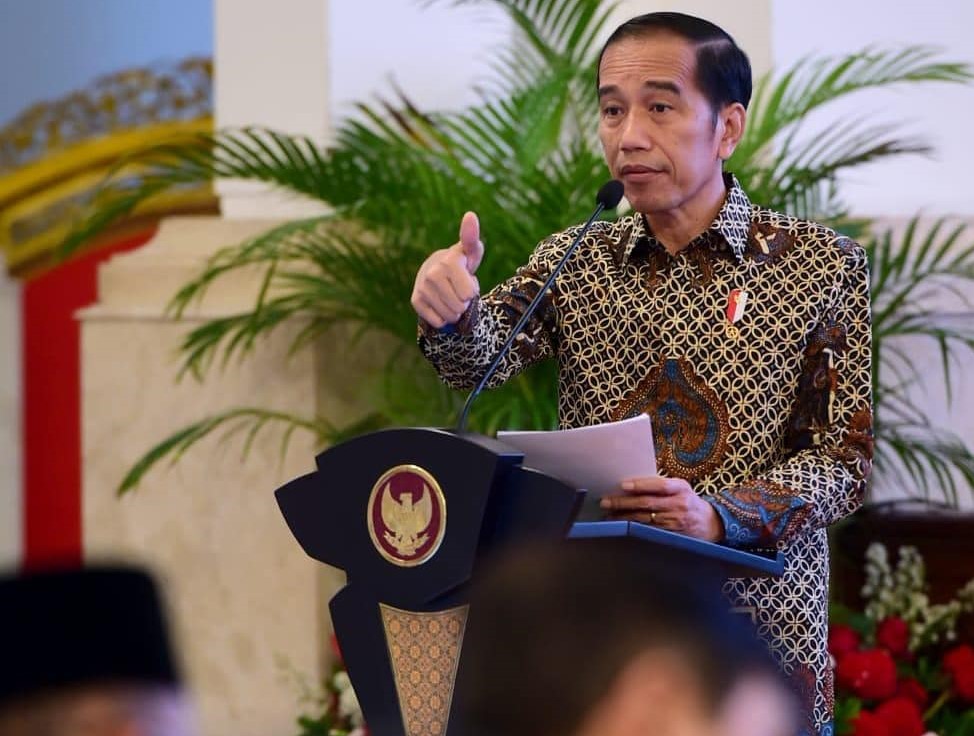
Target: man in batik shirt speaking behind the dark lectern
(743,333)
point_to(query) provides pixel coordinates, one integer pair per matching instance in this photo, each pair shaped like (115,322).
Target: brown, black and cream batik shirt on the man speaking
(768,417)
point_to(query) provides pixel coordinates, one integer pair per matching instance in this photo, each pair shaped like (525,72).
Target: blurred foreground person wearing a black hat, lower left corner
(86,653)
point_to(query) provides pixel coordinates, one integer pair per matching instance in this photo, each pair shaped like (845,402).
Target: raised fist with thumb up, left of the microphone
(445,284)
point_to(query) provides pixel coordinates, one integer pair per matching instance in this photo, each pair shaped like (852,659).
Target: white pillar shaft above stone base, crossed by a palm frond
(270,69)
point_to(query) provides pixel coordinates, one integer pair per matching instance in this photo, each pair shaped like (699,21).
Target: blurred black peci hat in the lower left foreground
(85,626)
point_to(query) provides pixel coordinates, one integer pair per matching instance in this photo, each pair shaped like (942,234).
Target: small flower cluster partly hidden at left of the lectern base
(332,708)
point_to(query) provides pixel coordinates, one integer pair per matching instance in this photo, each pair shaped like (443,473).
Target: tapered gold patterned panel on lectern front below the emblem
(424,649)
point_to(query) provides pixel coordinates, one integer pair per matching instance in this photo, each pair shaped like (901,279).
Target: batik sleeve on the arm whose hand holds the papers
(829,440)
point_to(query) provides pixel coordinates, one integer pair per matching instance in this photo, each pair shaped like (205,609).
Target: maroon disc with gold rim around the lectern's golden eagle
(407,479)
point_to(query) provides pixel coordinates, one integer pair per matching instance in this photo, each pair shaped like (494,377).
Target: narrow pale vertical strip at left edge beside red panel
(11,442)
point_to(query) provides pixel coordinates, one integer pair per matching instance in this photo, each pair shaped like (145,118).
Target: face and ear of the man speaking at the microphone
(657,129)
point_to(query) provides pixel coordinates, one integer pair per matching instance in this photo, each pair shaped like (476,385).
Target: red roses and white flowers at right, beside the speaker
(900,669)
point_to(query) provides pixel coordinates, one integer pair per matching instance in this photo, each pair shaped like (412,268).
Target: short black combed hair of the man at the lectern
(723,71)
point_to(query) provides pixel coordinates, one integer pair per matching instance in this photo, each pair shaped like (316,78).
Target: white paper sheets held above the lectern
(596,458)
